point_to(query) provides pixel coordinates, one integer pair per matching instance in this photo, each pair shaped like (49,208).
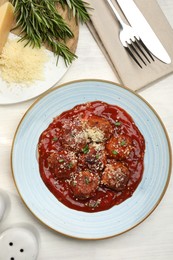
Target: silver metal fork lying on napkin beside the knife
(131,41)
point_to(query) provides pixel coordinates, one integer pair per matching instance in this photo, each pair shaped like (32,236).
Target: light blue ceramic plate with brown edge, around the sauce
(41,202)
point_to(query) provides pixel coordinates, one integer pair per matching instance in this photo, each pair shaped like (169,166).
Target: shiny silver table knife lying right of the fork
(144,30)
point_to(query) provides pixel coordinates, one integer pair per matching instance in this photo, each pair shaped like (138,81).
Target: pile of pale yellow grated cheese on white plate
(22,64)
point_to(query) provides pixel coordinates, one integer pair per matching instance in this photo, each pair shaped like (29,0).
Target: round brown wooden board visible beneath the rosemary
(71,43)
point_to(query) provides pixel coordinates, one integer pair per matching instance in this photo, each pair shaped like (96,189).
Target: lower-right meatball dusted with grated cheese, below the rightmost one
(115,176)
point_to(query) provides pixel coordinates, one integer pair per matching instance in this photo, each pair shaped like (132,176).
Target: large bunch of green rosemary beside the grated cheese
(40,23)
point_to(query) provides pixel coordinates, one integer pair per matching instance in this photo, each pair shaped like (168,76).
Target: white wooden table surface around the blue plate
(151,240)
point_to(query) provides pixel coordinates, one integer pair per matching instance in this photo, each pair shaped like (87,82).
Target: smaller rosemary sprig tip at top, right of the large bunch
(78,9)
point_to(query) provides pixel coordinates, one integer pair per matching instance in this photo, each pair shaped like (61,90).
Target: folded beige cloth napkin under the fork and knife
(105,30)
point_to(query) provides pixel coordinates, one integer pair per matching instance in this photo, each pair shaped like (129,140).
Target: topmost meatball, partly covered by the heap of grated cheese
(98,128)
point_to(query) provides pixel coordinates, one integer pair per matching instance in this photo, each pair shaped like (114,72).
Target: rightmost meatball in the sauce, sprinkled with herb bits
(119,147)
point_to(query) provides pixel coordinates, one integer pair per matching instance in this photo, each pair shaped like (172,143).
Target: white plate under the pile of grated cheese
(15,93)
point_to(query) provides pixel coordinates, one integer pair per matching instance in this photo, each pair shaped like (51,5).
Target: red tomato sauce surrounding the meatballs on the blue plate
(51,141)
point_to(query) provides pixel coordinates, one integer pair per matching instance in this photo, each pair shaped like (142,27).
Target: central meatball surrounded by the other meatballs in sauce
(93,157)
